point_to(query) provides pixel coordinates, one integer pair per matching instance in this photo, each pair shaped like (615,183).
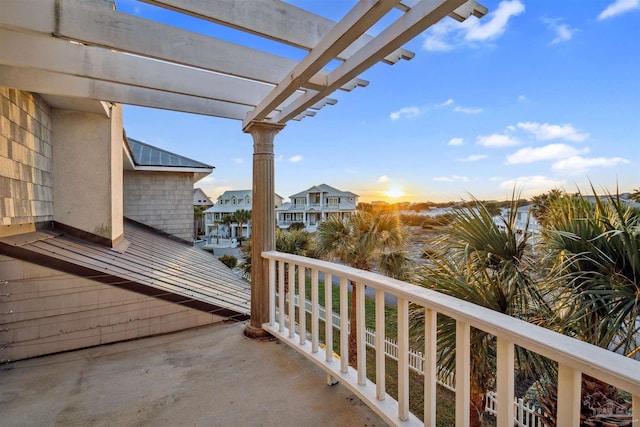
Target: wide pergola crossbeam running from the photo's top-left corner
(95,25)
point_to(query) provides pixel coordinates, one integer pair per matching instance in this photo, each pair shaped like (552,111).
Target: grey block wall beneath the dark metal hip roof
(163,200)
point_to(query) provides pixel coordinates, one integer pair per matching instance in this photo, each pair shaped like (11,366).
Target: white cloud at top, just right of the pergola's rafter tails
(449,34)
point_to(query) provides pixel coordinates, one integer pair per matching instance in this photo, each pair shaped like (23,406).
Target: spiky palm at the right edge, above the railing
(595,248)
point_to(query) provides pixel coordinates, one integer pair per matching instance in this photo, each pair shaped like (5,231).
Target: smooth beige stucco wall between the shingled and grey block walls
(87,171)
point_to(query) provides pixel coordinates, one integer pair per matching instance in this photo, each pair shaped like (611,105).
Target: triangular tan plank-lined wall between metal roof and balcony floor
(44,311)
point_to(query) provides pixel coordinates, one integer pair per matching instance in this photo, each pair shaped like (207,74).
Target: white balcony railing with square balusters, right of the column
(290,325)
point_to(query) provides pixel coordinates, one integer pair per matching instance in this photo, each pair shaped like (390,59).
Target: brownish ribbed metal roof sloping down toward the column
(146,262)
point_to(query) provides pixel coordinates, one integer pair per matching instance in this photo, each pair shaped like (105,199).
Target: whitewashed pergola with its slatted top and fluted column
(81,49)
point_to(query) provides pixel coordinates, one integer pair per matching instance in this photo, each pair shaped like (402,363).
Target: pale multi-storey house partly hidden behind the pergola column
(227,204)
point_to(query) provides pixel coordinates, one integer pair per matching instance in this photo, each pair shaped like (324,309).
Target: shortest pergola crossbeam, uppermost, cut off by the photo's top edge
(278,21)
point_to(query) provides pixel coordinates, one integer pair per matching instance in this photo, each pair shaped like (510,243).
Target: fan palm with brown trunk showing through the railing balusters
(484,262)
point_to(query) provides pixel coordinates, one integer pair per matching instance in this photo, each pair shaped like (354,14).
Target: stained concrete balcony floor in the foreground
(209,376)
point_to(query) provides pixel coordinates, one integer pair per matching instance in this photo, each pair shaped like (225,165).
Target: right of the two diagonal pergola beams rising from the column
(420,17)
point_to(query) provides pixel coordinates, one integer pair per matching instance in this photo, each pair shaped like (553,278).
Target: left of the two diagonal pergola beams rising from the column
(353,25)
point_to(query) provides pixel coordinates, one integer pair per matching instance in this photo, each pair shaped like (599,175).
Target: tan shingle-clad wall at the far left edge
(26,186)
